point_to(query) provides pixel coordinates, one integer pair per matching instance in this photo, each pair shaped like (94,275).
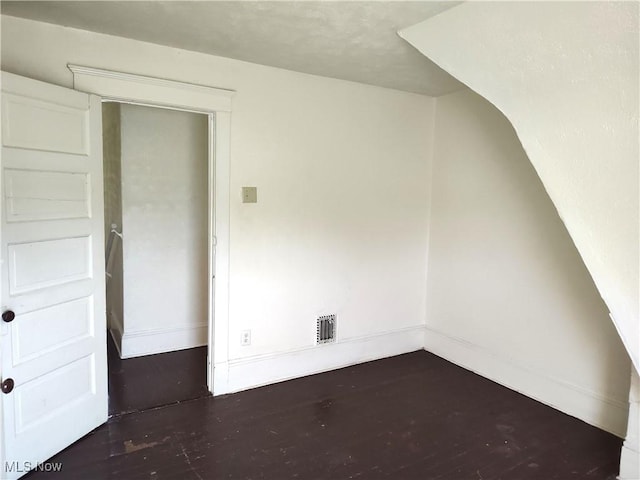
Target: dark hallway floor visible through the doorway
(137,384)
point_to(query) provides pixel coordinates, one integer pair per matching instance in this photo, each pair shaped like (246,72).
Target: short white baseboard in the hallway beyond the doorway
(148,342)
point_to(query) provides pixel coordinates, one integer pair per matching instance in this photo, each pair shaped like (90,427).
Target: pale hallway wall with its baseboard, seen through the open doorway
(164,224)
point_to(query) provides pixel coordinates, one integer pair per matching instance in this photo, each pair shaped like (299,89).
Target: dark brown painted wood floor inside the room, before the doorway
(414,416)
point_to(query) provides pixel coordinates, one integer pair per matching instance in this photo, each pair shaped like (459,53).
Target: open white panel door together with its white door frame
(58,265)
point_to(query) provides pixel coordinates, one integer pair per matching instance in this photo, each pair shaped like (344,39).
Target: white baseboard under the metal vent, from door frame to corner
(245,373)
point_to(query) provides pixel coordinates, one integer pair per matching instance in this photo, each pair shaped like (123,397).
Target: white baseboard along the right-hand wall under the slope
(591,407)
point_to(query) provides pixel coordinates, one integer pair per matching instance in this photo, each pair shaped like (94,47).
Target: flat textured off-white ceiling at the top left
(355,41)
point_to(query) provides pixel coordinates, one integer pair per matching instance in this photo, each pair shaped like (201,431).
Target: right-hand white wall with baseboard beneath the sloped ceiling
(508,294)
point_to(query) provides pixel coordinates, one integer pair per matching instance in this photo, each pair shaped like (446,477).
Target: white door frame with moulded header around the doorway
(216,104)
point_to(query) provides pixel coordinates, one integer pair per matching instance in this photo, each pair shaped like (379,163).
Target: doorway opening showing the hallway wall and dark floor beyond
(156,195)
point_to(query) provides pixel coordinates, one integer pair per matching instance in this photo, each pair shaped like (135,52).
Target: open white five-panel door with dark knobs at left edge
(52,336)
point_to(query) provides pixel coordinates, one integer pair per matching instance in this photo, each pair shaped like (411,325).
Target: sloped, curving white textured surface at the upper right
(566,76)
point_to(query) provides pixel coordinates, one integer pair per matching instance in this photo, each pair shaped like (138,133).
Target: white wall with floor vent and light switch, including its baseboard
(341,220)
